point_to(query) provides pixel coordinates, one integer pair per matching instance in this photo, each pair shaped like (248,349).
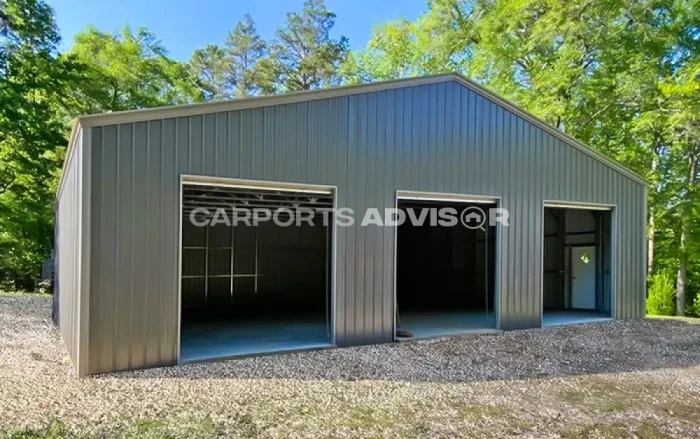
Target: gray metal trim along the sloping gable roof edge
(311,95)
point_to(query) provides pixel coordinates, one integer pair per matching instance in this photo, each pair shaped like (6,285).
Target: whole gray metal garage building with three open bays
(137,286)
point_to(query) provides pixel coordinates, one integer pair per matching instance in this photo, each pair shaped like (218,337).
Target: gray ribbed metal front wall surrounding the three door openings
(440,137)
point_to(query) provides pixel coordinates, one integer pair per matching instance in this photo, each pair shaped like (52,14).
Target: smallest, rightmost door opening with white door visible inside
(577,281)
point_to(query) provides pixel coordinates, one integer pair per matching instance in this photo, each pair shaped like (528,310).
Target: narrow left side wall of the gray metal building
(68,257)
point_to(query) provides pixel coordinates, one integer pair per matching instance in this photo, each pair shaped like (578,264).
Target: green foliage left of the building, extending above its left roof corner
(40,90)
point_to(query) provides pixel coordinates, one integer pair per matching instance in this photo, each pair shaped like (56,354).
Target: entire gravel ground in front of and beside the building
(603,380)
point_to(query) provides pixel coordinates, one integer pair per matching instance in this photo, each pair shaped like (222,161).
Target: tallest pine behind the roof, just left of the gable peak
(304,56)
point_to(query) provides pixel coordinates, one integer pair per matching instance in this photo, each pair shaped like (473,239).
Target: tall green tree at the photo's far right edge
(666,46)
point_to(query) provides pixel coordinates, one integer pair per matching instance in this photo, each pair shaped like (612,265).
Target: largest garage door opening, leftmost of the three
(250,288)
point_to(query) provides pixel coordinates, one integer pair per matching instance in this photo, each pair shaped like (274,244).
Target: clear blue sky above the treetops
(185,25)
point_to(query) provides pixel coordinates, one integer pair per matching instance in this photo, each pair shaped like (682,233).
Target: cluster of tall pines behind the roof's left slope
(302,56)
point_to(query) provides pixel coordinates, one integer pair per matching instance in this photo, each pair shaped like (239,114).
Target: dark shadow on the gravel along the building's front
(608,347)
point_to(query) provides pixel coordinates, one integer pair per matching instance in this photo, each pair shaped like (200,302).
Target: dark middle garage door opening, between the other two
(444,273)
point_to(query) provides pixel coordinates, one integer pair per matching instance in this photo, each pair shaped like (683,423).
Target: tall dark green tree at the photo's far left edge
(32,136)
